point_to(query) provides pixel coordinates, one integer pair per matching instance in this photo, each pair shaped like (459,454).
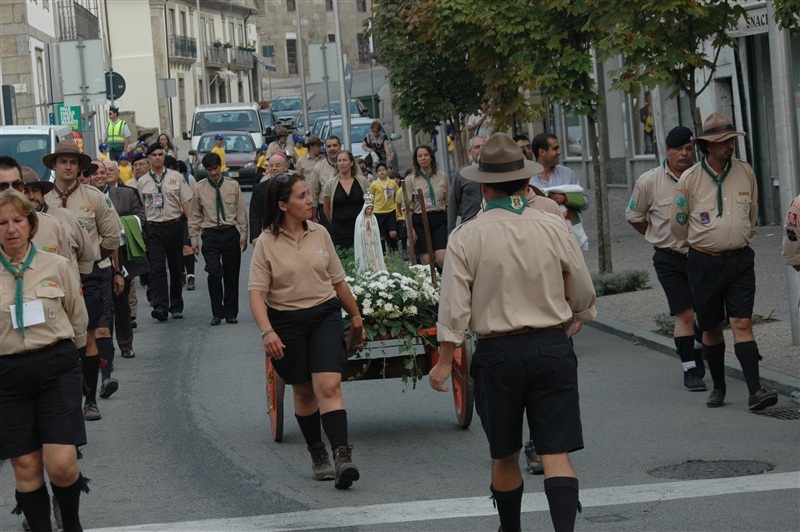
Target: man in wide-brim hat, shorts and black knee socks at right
(715,209)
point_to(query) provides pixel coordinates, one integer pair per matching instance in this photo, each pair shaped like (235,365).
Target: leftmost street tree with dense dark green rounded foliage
(430,84)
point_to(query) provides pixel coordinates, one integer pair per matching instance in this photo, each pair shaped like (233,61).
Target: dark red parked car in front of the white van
(240,156)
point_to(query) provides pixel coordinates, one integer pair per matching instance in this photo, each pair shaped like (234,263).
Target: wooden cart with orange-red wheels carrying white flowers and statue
(395,367)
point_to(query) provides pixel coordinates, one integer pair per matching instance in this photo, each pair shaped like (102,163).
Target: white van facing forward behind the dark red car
(227,117)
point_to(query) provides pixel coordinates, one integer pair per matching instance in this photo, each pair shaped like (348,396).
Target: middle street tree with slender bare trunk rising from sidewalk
(546,45)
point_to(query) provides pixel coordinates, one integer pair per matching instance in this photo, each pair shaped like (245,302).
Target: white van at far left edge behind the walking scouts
(28,144)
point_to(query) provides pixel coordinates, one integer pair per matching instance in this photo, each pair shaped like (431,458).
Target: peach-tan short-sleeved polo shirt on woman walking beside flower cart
(296,276)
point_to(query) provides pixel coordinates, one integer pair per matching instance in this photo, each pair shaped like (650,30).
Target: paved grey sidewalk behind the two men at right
(632,315)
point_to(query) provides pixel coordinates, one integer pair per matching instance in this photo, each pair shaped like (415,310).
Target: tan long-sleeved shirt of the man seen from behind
(505,271)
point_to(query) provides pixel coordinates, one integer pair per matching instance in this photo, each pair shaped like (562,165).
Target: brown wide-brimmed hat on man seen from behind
(501,160)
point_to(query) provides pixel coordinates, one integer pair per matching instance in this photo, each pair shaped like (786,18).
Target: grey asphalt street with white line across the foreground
(185,444)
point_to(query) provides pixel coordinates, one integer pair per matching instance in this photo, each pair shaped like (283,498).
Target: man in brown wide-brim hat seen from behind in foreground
(516,277)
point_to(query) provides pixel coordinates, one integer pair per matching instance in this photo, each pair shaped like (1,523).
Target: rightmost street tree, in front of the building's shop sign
(670,42)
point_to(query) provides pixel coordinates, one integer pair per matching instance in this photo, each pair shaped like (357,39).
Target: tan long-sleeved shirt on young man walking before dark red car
(204,208)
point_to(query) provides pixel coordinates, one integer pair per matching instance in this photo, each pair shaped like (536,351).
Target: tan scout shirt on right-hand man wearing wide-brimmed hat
(694,211)
